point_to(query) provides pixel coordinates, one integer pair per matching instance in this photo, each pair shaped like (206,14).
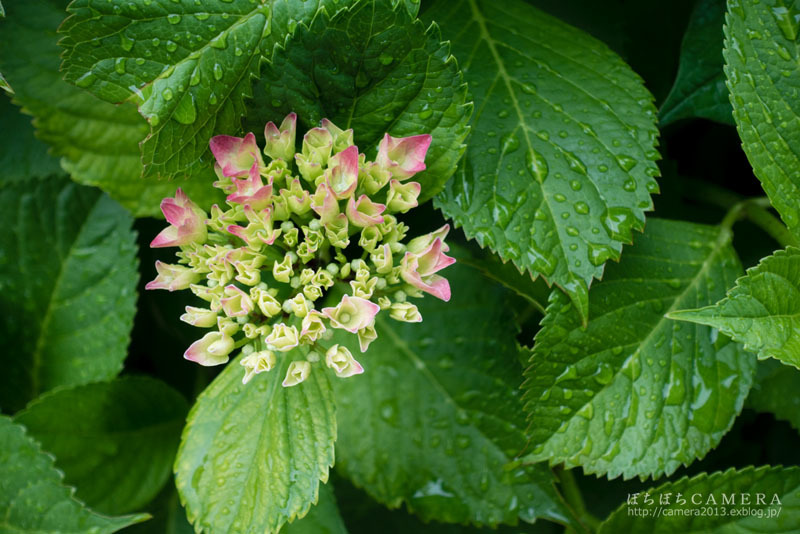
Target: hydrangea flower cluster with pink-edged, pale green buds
(265,264)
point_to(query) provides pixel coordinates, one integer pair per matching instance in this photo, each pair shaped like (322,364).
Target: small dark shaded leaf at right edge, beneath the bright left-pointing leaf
(776,390)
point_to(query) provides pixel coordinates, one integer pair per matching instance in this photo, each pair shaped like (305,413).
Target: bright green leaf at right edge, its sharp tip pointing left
(762,311)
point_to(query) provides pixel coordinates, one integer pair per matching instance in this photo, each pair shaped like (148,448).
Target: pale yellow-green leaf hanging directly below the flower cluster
(254,455)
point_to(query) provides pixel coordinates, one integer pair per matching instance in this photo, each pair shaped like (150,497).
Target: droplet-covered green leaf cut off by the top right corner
(761,63)
